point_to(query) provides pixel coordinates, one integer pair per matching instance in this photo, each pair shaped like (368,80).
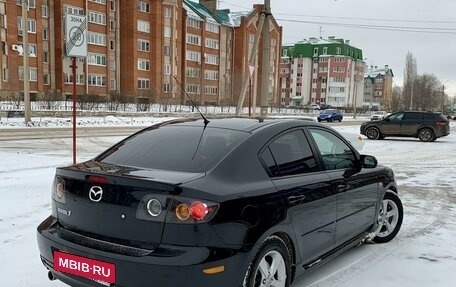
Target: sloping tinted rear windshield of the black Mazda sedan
(174,147)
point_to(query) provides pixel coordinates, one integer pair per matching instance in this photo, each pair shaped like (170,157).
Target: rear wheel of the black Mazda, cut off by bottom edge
(273,251)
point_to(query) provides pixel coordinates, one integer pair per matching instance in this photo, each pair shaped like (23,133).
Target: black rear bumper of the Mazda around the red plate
(170,266)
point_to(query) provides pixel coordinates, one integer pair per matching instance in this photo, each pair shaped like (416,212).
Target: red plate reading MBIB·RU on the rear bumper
(99,271)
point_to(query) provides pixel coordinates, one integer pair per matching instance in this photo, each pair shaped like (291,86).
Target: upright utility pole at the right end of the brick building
(266,60)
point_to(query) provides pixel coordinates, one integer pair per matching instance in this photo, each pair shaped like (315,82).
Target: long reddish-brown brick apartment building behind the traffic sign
(137,48)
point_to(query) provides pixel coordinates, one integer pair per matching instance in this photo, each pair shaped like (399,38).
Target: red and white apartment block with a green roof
(321,71)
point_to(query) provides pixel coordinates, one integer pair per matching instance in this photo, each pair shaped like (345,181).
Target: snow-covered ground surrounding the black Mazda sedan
(423,253)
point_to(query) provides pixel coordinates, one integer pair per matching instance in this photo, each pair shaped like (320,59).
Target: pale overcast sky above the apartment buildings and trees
(384,30)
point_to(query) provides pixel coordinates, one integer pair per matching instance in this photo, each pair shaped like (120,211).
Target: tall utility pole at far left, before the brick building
(25,55)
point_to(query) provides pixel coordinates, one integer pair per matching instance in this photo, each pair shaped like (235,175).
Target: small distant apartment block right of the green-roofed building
(378,88)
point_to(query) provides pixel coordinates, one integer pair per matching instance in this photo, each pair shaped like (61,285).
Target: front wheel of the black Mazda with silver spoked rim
(389,218)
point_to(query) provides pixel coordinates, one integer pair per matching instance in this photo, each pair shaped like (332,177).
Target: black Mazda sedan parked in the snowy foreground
(225,202)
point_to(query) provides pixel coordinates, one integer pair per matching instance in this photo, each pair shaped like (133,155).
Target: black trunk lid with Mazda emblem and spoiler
(110,202)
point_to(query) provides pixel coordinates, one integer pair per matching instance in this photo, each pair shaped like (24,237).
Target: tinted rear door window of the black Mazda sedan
(289,154)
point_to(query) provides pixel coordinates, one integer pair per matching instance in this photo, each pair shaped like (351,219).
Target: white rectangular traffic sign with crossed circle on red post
(75,35)
